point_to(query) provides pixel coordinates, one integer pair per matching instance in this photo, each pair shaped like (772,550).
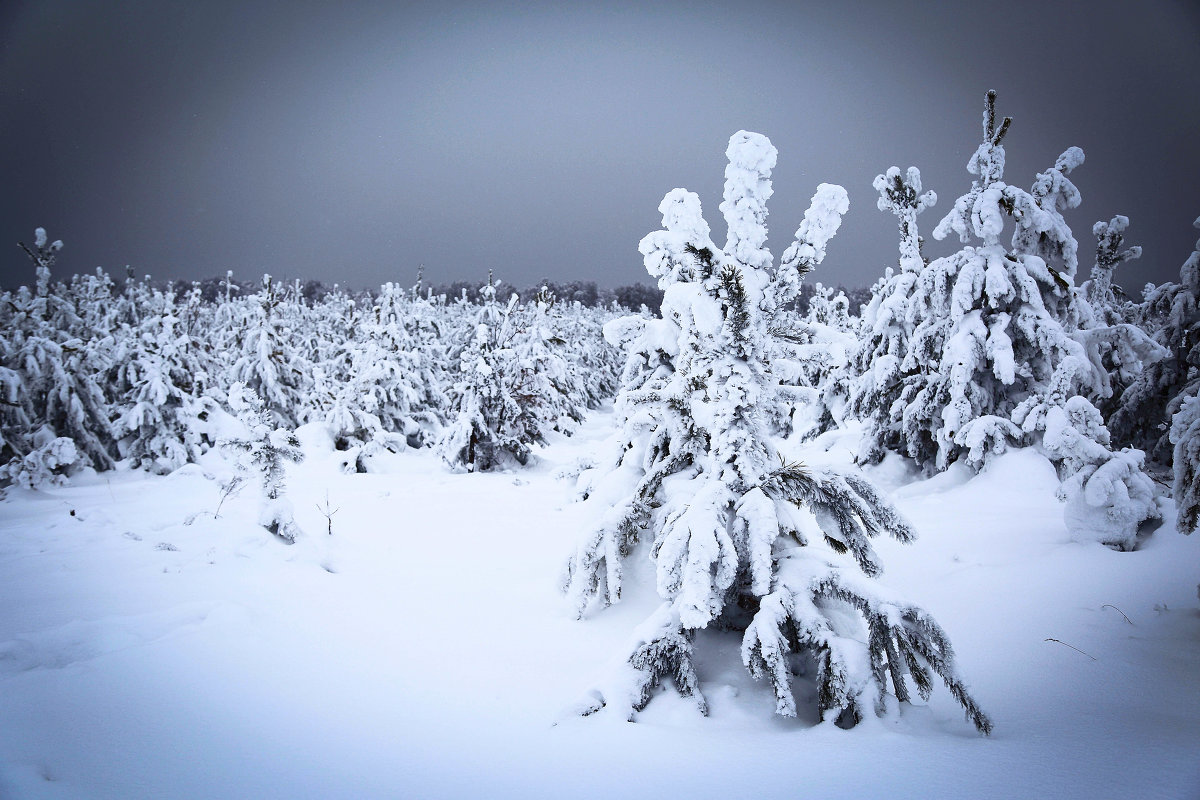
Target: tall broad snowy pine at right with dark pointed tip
(1004,352)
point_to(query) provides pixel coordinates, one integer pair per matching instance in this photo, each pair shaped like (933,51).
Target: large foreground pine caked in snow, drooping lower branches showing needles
(740,538)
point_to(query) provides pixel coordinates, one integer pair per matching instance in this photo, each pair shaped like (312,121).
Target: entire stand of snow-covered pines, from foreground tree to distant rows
(1017,340)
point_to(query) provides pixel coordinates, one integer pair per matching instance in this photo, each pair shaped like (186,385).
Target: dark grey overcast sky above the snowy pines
(352,142)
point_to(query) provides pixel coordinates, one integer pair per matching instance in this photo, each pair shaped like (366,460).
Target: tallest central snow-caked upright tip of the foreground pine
(747,191)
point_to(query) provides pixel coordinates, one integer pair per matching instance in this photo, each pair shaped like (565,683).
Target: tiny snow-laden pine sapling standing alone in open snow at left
(265,452)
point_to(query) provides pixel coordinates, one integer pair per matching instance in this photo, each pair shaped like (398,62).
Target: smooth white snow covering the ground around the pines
(423,651)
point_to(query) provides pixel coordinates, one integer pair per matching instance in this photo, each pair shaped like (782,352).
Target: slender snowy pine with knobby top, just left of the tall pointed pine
(877,395)
